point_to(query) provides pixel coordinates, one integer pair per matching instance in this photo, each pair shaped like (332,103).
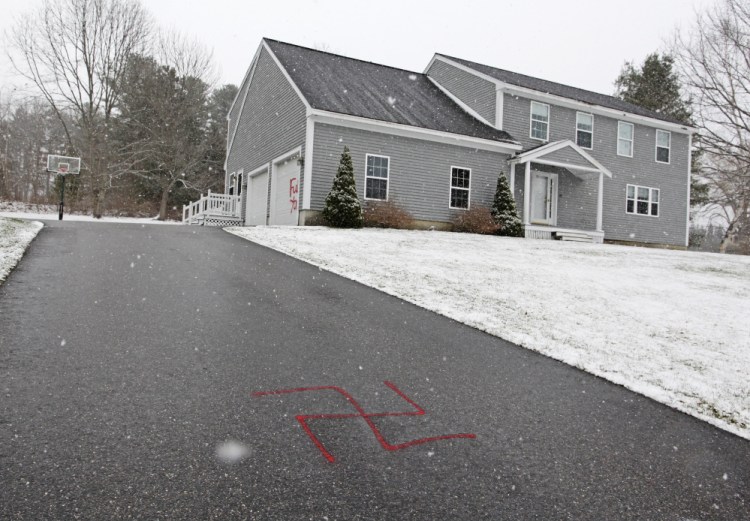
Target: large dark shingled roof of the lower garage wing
(358,88)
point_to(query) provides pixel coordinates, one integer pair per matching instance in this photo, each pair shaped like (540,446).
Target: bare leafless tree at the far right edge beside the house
(714,61)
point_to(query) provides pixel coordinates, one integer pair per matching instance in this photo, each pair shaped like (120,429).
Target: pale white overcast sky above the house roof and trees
(583,43)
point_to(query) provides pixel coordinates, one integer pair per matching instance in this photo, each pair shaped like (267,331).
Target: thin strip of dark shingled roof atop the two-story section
(565,91)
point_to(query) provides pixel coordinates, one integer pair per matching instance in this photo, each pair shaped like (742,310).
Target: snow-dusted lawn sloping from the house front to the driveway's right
(672,325)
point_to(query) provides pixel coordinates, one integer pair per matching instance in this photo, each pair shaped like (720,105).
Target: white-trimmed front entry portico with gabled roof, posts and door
(543,197)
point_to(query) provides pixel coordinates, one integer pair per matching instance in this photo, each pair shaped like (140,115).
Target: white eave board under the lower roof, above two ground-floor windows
(398,129)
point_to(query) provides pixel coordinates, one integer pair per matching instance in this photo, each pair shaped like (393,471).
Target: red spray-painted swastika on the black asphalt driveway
(304,419)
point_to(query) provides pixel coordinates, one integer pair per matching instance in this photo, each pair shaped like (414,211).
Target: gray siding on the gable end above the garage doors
(272,120)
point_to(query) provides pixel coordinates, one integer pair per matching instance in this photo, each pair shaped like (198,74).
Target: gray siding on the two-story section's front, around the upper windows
(642,169)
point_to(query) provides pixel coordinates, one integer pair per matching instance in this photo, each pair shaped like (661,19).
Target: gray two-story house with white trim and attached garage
(580,164)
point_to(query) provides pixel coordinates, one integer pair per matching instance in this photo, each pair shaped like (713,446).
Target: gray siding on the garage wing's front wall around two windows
(419,173)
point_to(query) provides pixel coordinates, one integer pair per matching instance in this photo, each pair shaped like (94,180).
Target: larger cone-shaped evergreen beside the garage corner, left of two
(343,209)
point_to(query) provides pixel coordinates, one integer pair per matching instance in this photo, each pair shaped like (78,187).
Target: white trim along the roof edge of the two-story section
(567,102)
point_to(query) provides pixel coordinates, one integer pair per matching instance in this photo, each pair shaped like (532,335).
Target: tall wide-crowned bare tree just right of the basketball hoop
(75,52)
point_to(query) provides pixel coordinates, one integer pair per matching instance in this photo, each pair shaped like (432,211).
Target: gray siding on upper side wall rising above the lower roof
(477,93)
